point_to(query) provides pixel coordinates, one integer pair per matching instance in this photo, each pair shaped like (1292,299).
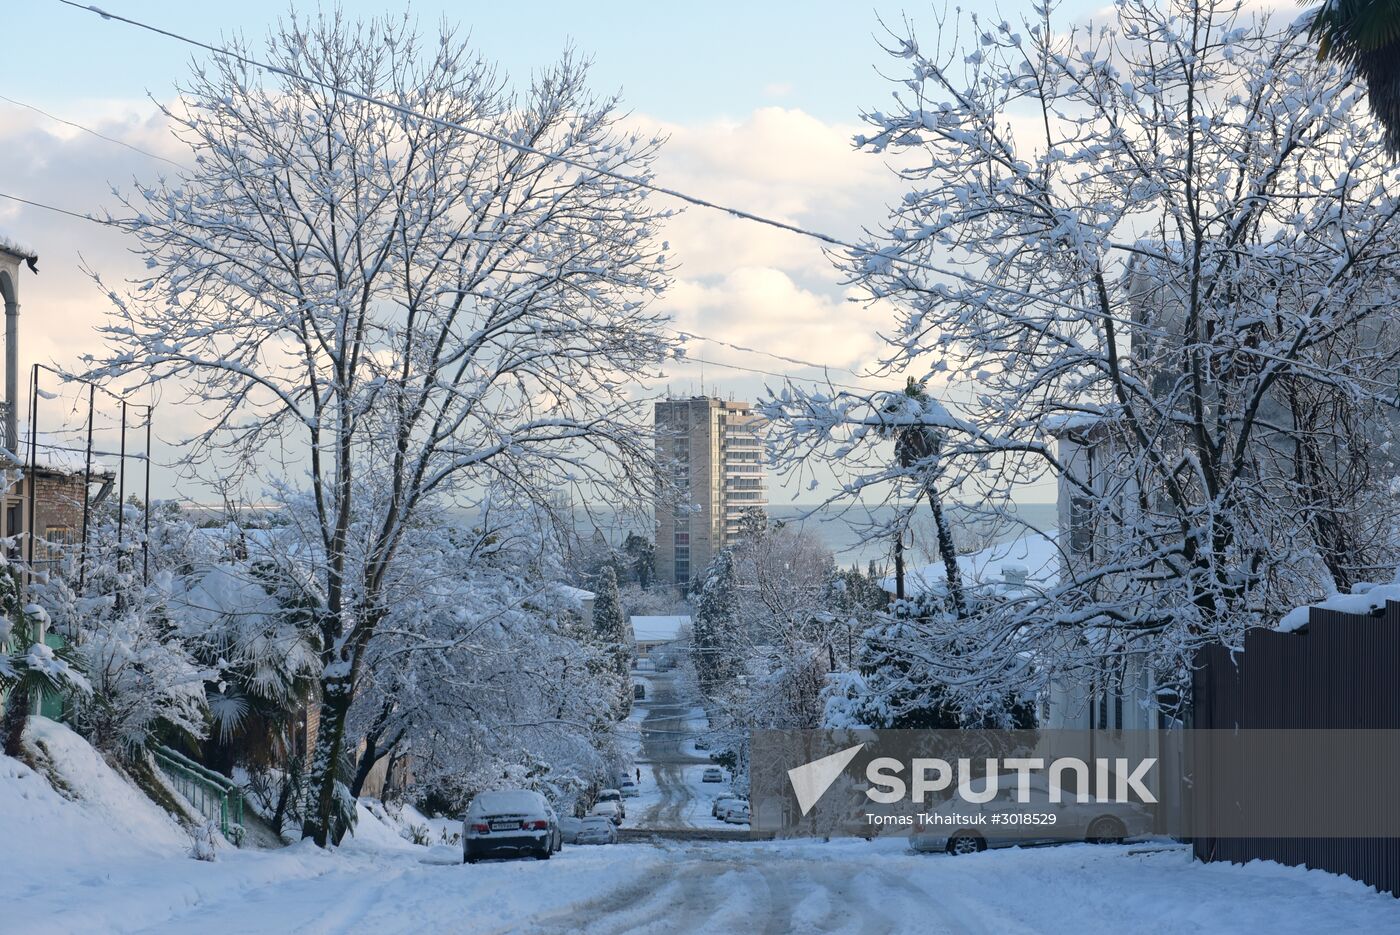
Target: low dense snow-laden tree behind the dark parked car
(484,675)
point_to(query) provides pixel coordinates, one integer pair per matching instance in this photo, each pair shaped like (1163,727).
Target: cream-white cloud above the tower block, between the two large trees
(759,286)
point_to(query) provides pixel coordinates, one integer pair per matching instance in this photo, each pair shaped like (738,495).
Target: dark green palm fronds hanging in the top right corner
(1366,36)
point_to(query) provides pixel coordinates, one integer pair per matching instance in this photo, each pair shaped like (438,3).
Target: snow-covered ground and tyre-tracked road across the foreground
(101,859)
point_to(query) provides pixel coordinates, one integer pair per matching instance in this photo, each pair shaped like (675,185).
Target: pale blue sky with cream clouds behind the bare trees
(759,101)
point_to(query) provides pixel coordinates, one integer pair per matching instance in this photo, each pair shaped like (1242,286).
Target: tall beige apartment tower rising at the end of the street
(710,456)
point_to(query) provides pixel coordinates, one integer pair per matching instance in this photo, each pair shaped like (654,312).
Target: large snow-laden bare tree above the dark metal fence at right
(1167,241)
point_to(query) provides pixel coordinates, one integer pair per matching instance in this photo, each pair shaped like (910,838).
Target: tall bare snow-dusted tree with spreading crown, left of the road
(416,304)
